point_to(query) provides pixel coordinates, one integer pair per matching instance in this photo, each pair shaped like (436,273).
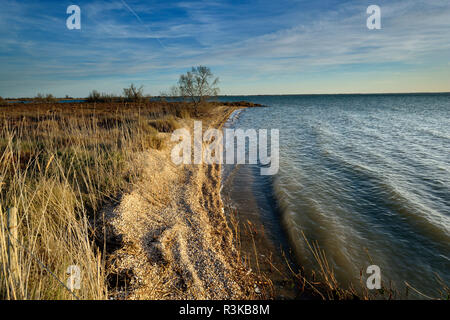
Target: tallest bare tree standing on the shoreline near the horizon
(198,85)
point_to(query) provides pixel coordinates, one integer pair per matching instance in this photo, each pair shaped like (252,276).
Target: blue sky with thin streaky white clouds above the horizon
(253,46)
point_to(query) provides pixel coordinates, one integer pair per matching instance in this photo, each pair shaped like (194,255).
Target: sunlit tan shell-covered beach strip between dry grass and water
(176,242)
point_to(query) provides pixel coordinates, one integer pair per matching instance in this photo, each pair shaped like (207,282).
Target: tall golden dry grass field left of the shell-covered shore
(59,164)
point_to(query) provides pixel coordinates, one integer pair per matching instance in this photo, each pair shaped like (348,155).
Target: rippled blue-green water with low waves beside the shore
(363,175)
